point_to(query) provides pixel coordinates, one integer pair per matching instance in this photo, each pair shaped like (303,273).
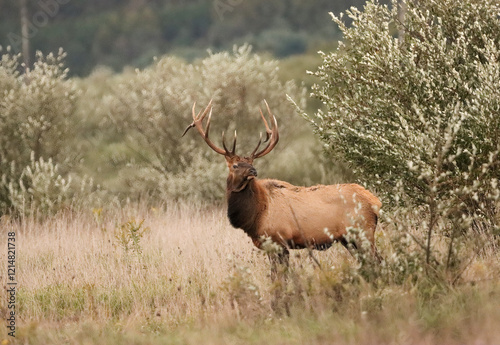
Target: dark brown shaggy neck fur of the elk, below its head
(244,208)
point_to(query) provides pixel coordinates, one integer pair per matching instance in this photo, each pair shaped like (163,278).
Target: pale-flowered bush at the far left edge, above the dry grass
(38,130)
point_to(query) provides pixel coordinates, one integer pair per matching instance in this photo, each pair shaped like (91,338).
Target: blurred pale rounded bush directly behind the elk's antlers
(153,108)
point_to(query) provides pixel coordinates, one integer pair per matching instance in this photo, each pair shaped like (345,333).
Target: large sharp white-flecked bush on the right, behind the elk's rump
(417,115)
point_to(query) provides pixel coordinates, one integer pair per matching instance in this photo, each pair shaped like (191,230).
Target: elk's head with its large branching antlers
(241,170)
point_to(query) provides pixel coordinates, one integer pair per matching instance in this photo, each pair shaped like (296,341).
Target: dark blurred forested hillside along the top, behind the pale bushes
(130,33)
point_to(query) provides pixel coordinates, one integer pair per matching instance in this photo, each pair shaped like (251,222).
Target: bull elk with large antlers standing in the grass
(292,217)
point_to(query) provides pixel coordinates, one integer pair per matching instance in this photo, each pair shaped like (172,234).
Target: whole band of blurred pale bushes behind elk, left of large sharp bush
(113,128)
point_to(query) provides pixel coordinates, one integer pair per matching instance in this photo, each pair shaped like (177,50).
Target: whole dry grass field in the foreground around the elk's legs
(185,276)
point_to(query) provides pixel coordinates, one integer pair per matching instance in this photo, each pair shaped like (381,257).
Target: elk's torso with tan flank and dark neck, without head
(296,217)
